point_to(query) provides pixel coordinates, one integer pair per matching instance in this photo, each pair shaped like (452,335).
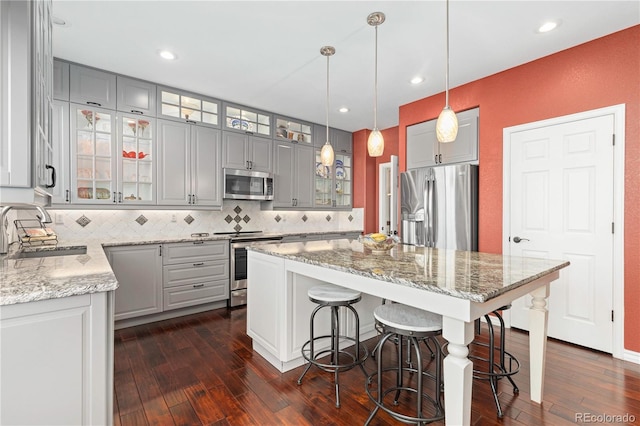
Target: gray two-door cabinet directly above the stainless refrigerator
(424,150)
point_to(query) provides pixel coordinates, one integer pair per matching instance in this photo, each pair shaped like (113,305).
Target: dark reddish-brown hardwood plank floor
(200,369)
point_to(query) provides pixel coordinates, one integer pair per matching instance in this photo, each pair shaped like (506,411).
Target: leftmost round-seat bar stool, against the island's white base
(328,295)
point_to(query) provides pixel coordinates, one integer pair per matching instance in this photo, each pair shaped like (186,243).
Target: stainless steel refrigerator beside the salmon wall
(439,207)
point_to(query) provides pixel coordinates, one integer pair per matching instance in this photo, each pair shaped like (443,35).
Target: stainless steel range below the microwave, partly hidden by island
(238,262)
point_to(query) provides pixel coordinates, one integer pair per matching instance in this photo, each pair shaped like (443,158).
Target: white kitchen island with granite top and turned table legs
(461,286)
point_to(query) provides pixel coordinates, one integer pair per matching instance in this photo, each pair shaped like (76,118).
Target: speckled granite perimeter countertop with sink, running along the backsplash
(32,279)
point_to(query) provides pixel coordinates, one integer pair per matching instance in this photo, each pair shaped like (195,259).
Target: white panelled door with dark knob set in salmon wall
(561,204)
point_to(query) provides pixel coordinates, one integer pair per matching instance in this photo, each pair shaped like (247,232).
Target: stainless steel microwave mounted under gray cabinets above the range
(248,185)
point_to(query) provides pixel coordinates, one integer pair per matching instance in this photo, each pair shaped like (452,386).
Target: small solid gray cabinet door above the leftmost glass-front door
(92,87)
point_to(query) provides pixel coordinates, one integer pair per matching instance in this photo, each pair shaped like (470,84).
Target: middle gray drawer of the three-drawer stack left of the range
(194,273)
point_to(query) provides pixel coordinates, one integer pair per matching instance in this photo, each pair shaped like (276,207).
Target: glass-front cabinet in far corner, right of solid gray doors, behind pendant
(333,184)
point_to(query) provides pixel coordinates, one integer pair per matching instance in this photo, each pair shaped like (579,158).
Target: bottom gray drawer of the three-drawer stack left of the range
(195,294)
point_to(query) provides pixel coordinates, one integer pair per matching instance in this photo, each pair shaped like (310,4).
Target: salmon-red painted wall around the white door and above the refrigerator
(597,74)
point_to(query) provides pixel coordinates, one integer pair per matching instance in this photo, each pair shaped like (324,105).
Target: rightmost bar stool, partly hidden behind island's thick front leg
(493,368)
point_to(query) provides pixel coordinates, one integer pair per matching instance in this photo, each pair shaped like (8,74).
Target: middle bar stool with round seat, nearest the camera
(400,322)
